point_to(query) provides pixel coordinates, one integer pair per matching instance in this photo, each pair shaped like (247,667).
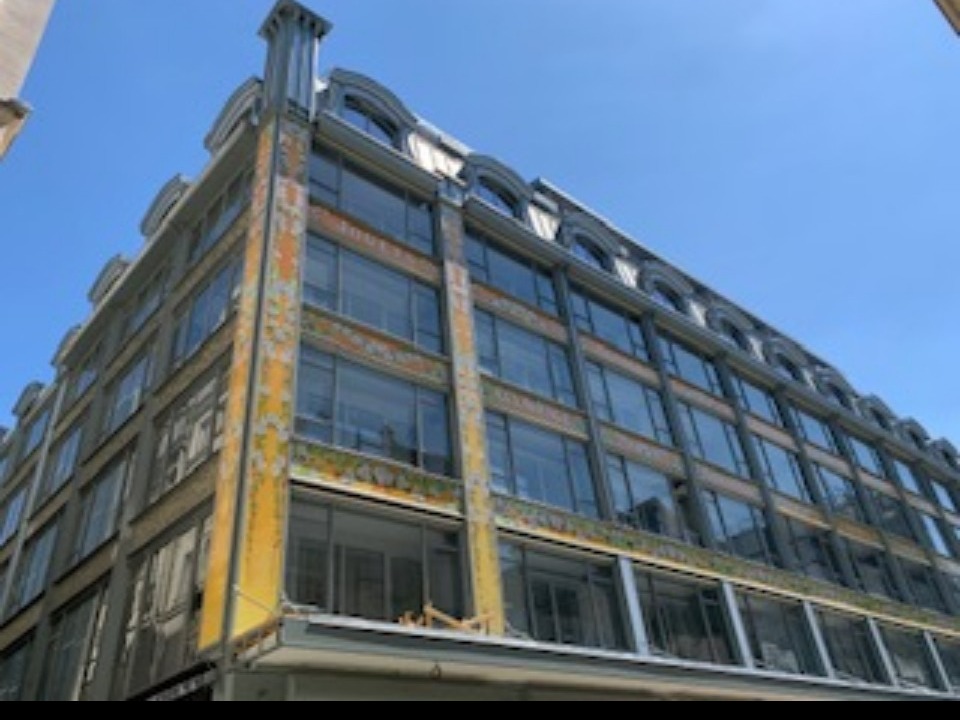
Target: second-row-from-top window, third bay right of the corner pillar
(629,404)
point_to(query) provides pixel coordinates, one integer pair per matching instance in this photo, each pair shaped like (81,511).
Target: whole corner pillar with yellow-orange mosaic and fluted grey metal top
(245,578)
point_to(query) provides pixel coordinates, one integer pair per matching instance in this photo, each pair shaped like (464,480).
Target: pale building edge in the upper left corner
(22,24)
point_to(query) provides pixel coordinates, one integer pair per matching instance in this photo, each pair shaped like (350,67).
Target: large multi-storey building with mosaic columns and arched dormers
(370,416)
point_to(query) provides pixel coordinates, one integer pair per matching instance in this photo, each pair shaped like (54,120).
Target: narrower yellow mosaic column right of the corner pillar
(481,524)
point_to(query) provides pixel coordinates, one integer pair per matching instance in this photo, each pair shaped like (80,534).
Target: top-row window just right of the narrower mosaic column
(519,278)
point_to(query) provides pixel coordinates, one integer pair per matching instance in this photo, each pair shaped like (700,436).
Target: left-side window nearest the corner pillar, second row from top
(209,311)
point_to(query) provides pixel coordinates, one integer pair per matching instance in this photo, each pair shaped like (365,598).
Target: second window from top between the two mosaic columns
(363,290)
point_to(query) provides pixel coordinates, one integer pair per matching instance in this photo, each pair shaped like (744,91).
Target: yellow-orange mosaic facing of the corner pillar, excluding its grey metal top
(270,370)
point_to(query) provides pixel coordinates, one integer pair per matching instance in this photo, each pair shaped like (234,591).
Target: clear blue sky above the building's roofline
(799,157)
